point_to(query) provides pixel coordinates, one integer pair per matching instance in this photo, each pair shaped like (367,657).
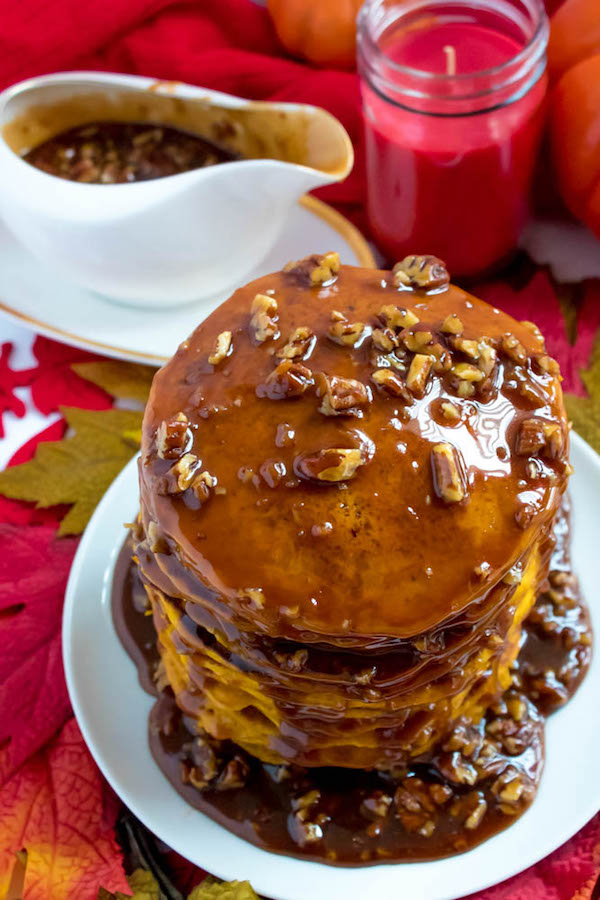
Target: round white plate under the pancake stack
(112,711)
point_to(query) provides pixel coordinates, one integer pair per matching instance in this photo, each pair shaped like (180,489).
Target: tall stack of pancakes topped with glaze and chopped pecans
(349,480)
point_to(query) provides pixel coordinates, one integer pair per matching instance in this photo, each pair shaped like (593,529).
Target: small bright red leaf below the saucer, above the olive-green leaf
(54,383)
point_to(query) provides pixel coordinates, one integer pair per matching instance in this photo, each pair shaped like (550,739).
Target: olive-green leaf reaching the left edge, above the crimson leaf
(79,469)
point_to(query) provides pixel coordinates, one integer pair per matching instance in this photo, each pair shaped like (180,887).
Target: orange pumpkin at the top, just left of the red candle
(322,31)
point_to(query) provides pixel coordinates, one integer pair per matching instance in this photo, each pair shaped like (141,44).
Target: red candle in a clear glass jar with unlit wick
(453,103)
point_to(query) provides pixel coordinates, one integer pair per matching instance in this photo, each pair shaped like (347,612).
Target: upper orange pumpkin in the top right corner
(574,34)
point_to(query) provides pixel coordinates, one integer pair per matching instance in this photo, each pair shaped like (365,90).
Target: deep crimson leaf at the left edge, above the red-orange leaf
(34,704)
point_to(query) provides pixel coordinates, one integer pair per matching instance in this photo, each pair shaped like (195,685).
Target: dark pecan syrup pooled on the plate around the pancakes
(484,775)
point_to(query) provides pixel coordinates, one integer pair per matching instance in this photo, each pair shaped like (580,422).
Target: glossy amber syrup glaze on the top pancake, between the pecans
(378,556)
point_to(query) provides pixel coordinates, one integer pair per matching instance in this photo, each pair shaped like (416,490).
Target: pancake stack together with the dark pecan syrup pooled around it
(354,542)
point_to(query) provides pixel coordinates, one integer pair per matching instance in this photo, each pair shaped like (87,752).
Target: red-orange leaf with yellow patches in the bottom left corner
(53,807)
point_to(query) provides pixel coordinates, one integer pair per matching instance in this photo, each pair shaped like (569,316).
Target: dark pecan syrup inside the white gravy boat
(121,152)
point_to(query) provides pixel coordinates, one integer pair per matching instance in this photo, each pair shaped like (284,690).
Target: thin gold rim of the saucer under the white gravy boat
(348,231)
